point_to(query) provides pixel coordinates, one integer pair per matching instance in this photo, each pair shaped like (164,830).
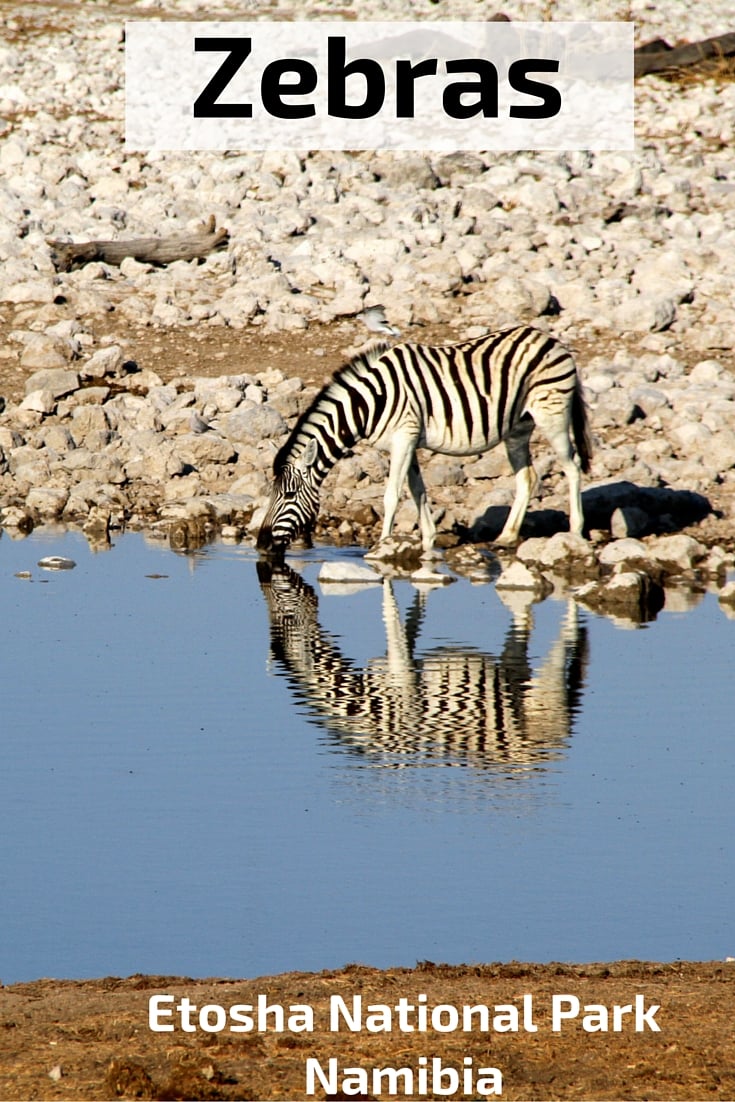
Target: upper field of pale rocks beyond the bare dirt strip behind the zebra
(610,244)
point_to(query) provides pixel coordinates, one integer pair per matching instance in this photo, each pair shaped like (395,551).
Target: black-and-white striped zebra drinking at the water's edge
(459,399)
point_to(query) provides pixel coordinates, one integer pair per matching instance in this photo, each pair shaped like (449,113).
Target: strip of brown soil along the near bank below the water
(91,1040)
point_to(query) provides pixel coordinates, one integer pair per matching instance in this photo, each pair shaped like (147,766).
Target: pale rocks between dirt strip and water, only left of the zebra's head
(109,445)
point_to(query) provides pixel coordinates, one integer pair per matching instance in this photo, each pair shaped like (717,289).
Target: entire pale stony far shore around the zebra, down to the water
(625,257)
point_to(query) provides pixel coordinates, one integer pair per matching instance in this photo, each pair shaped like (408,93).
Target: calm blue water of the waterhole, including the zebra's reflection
(210,770)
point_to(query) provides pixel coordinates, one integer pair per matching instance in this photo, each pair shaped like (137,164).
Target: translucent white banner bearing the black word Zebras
(434,87)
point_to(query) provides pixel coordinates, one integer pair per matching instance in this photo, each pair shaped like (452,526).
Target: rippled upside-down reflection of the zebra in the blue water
(449,706)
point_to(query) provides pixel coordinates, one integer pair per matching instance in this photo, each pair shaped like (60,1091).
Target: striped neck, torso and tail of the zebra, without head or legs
(464,398)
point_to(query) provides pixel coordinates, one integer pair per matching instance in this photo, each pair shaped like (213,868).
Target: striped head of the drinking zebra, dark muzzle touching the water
(294,503)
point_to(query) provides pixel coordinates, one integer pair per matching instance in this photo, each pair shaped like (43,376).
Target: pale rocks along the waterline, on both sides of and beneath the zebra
(104,445)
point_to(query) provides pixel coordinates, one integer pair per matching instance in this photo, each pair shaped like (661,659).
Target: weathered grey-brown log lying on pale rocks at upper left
(152,251)
